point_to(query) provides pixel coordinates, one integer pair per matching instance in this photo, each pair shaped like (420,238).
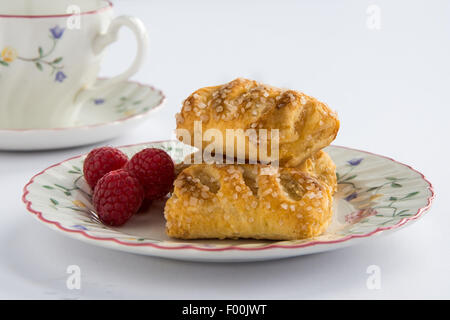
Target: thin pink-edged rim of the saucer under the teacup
(101,124)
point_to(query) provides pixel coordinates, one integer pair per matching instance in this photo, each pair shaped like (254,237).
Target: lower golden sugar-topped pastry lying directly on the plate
(247,201)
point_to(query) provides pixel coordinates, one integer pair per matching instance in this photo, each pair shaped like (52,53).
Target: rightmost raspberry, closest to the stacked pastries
(154,169)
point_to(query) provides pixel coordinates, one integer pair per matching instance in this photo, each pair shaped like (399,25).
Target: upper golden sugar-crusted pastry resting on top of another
(305,125)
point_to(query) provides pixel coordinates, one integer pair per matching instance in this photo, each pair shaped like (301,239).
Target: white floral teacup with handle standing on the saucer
(50,54)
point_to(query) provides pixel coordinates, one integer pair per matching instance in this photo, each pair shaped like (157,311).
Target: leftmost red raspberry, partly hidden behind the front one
(100,161)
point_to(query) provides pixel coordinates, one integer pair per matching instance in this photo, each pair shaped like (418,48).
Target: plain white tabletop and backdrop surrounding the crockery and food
(389,86)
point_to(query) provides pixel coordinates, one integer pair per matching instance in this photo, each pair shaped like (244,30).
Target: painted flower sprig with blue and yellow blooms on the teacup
(42,60)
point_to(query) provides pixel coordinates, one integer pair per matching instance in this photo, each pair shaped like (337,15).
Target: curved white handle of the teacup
(110,36)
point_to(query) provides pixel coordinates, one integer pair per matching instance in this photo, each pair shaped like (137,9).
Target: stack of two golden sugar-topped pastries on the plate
(252,197)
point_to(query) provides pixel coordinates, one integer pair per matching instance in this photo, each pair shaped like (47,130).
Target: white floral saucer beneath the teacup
(108,115)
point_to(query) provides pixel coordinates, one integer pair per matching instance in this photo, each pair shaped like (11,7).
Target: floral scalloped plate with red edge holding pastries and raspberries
(376,195)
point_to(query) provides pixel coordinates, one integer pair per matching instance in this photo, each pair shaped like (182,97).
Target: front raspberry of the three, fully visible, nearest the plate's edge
(117,196)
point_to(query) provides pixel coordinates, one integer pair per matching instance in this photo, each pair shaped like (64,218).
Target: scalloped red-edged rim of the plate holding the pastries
(38,214)
